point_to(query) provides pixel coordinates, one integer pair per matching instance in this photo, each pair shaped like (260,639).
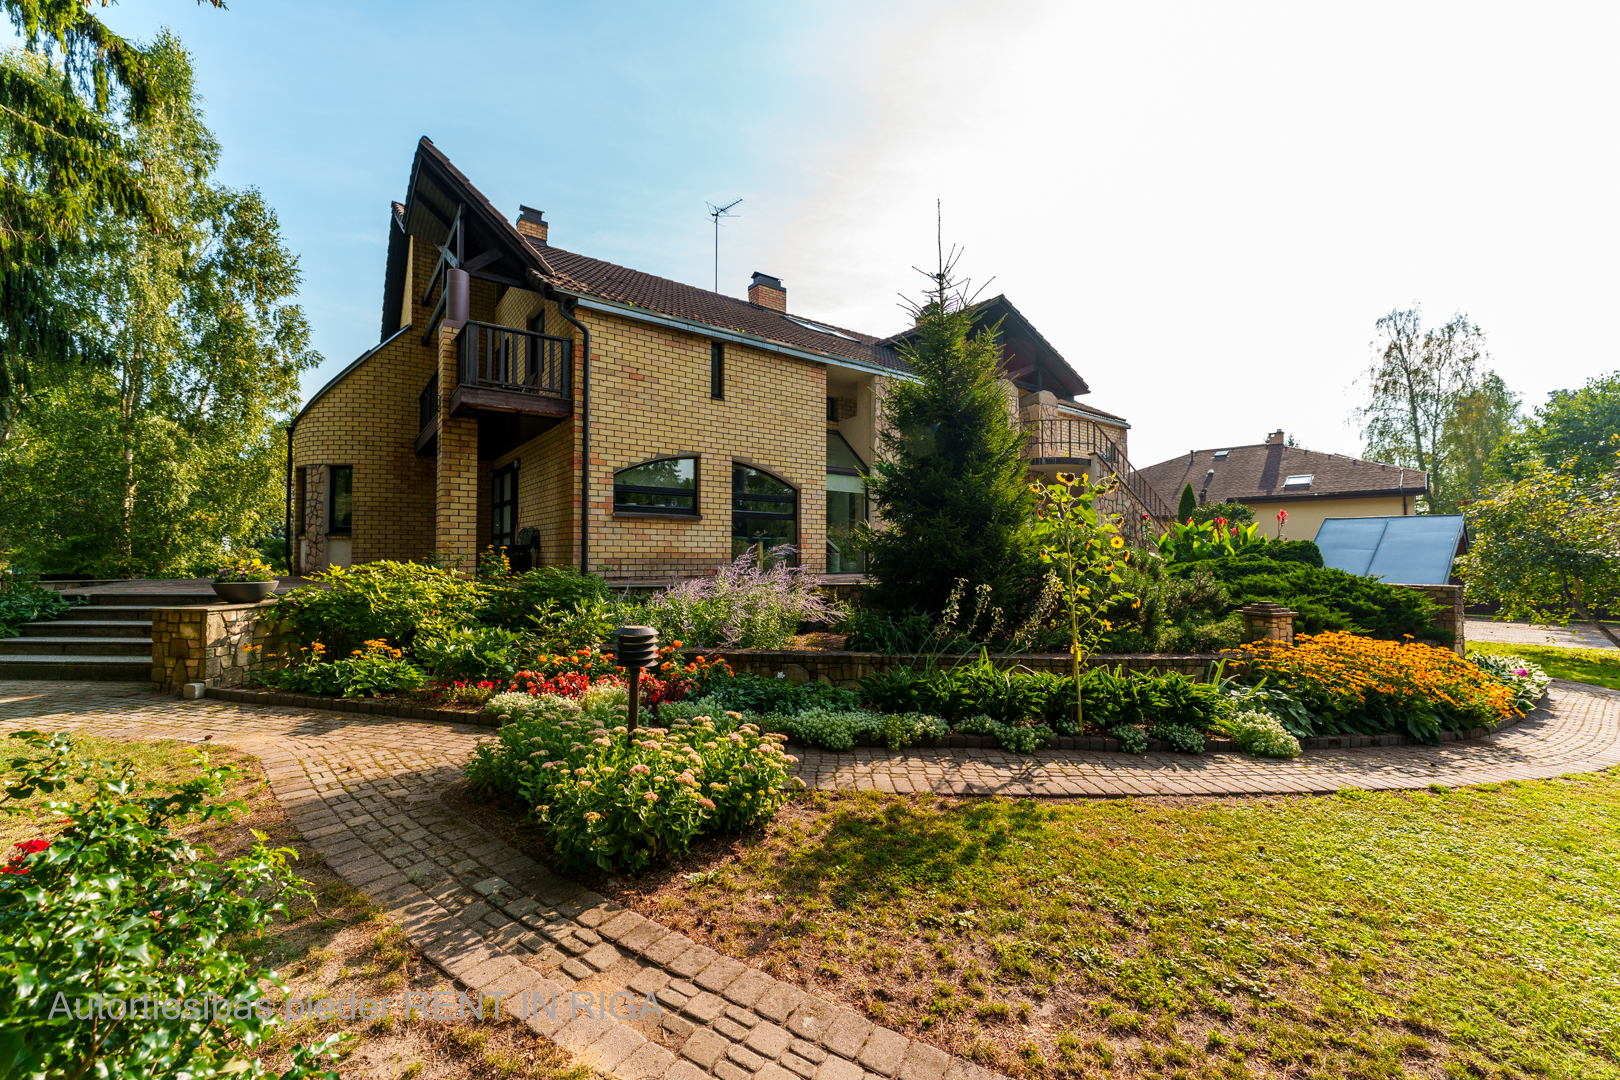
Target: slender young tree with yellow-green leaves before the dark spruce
(1085,553)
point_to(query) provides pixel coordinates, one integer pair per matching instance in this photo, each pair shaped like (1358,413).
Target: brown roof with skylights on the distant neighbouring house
(1260,474)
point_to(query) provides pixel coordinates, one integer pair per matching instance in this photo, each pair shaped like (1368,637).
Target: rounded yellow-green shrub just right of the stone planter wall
(377,602)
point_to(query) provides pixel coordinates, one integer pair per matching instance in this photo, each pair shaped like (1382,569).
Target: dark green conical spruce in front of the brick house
(950,488)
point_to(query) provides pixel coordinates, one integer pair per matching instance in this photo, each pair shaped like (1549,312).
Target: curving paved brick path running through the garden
(367,794)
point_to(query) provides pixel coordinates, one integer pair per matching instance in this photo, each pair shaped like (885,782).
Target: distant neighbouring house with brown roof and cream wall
(1273,477)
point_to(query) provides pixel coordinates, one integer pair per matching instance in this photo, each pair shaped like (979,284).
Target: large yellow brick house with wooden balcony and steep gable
(578,412)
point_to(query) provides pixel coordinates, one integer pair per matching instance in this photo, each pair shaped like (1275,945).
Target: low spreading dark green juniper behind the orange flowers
(1326,598)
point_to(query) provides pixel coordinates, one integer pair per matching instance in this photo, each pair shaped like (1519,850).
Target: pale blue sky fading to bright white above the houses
(1203,206)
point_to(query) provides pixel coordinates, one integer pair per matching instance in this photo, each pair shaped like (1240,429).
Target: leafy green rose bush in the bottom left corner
(117,906)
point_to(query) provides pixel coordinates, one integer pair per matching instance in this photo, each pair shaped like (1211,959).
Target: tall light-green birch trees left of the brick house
(174,436)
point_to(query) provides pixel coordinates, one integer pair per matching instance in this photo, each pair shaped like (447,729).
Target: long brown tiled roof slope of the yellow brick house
(659,294)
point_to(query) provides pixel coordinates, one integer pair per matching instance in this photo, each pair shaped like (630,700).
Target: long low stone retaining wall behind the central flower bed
(846,670)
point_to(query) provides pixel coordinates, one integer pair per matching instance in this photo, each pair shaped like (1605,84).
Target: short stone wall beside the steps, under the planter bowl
(208,645)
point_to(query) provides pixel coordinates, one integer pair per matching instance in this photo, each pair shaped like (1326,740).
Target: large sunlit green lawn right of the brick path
(1470,933)
